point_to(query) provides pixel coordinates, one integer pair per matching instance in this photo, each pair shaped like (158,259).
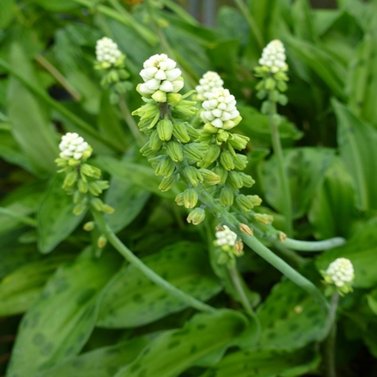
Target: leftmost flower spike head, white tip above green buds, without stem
(82,180)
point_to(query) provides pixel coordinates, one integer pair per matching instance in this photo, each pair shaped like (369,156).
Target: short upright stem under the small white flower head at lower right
(330,343)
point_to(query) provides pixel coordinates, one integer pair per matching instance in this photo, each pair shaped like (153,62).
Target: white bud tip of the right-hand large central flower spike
(219,109)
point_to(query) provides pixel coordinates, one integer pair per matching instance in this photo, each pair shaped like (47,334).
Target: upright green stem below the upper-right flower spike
(283,178)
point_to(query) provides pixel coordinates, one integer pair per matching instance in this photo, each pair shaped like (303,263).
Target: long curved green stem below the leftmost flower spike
(149,273)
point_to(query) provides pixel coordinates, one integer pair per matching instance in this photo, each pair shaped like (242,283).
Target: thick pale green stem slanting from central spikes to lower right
(263,251)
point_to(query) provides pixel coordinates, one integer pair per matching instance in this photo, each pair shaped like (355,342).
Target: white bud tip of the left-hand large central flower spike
(160,73)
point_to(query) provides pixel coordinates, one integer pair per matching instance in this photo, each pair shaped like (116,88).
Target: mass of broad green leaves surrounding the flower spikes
(86,316)
